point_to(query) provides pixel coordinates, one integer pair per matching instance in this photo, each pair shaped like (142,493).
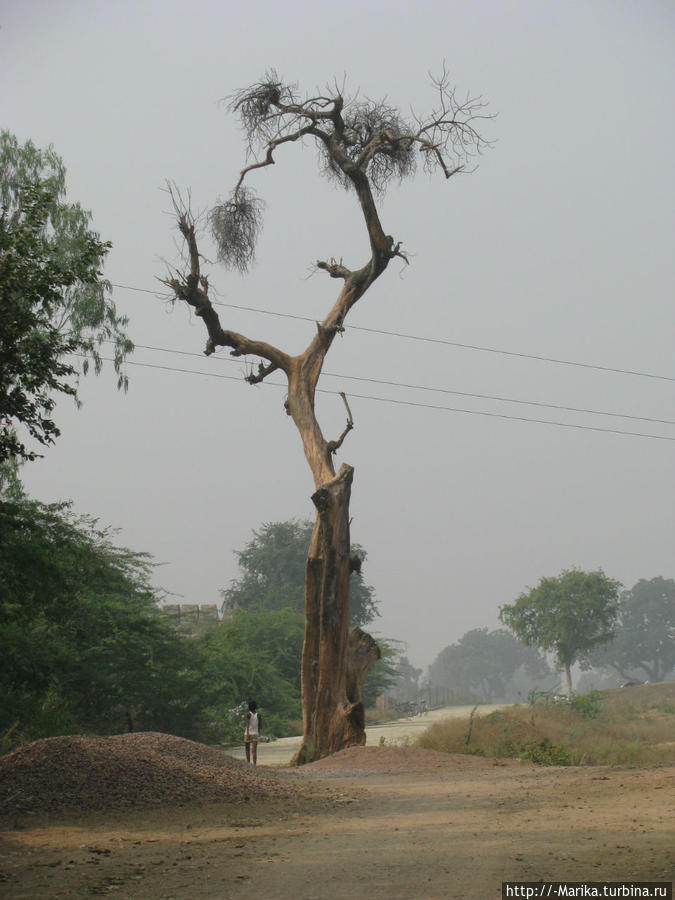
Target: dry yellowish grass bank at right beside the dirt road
(630,726)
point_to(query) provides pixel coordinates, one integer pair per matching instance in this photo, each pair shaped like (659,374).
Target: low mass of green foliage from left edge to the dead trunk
(86,648)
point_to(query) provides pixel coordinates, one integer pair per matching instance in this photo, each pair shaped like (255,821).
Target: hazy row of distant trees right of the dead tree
(580,618)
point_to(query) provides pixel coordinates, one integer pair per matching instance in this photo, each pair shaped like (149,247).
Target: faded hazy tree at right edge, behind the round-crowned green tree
(645,632)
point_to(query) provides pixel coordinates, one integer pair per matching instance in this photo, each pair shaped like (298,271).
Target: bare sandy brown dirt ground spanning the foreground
(381,823)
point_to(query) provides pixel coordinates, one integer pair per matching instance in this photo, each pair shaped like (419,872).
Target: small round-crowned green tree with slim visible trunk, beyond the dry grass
(568,615)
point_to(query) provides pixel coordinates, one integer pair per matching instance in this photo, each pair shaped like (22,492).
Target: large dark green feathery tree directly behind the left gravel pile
(83,643)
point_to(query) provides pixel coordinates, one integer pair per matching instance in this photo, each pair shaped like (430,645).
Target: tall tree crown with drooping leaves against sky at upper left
(53,300)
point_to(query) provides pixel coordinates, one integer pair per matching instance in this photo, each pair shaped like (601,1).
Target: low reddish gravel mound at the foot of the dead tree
(363,761)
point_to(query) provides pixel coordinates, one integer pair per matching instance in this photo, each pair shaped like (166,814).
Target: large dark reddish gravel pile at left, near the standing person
(127,770)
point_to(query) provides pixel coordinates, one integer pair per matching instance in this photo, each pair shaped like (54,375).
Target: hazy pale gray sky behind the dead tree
(559,245)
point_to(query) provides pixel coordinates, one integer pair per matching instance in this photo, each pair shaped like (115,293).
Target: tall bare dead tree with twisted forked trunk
(364,145)
